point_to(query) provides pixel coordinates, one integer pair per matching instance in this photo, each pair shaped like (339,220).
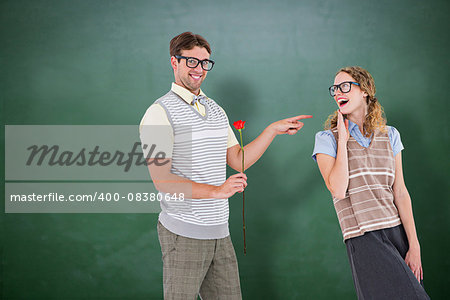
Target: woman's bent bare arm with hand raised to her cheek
(335,170)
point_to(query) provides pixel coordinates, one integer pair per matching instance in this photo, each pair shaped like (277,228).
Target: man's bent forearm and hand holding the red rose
(167,182)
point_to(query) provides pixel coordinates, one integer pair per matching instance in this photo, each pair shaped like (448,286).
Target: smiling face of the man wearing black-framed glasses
(190,78)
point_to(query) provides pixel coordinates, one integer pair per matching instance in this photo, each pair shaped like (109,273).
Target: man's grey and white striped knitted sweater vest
(199,154)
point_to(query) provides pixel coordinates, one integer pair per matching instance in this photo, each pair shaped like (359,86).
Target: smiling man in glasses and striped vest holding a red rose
(197,252)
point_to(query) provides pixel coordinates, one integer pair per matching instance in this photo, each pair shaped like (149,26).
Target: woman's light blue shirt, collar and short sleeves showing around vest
(326,143)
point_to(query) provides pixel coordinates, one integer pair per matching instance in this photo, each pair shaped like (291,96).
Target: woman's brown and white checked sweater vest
(369,201)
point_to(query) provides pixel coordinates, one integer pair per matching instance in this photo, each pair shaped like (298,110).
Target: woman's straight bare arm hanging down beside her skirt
(403,202)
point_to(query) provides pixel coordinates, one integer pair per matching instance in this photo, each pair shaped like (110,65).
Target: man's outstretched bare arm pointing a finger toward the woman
(255,149)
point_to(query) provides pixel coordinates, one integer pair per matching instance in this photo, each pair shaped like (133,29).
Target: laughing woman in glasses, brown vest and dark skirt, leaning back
(359,158)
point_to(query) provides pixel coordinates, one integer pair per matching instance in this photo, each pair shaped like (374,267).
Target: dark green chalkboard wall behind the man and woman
(105,62)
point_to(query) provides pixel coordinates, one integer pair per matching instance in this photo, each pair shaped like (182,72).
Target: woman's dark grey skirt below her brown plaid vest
(377,260)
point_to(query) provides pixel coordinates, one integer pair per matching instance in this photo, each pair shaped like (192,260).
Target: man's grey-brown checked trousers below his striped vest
(193,267)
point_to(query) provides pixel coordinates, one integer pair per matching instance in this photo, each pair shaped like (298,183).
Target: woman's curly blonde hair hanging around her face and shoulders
(375,118)
